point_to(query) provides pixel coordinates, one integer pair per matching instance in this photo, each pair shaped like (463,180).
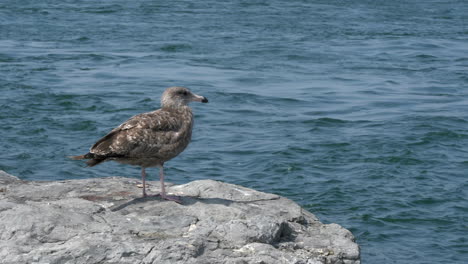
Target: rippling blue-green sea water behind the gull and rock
(357,110)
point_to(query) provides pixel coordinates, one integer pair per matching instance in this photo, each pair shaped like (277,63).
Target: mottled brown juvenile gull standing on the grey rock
(150,139)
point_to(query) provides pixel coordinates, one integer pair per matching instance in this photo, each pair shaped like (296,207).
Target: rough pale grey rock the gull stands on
(106,221)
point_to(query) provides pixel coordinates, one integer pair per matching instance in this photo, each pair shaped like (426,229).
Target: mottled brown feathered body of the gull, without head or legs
(152,137)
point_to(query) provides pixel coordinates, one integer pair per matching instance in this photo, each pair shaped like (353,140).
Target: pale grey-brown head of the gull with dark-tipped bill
(180,96)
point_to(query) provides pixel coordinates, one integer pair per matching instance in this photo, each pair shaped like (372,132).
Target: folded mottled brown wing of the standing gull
(147,131)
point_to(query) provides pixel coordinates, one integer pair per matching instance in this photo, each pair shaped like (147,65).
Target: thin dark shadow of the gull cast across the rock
(185,201)
